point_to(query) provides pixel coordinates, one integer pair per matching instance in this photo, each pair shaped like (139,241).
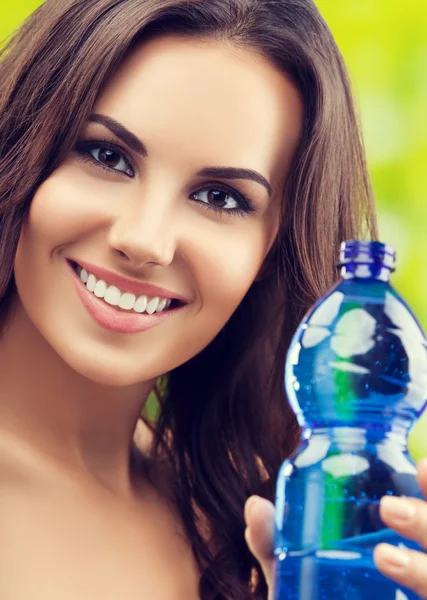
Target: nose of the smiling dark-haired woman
(143,234)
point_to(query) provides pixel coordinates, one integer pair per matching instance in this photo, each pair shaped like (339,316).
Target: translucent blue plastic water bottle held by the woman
(356,377)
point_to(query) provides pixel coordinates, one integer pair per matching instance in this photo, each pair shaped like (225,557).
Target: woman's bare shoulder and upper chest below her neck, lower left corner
(60,541)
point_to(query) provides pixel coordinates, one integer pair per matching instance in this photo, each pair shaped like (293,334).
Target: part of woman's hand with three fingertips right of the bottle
(407,516)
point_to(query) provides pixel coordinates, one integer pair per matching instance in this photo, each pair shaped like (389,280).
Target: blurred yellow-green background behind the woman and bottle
(384,43)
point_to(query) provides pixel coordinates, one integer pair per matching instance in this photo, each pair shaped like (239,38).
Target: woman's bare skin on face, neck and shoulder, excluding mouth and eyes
(72,391)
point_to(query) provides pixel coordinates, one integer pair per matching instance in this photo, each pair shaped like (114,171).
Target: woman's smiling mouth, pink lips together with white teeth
(117,309)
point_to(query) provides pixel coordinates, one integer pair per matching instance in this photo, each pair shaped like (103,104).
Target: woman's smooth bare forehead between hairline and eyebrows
(208,102)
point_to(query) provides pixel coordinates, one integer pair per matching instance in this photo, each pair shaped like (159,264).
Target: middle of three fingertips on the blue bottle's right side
(407,516)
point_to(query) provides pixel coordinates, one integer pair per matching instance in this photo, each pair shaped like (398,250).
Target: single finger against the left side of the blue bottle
(259,517)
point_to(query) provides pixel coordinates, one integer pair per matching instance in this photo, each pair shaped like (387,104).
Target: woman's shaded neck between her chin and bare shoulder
(74,422)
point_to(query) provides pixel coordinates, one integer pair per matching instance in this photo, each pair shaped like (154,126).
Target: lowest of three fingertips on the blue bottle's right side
(406,567)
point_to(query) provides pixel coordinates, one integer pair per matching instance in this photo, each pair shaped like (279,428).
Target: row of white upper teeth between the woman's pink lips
(124,300)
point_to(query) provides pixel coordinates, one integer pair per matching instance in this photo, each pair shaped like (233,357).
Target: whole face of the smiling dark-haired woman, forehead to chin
(176,183)
